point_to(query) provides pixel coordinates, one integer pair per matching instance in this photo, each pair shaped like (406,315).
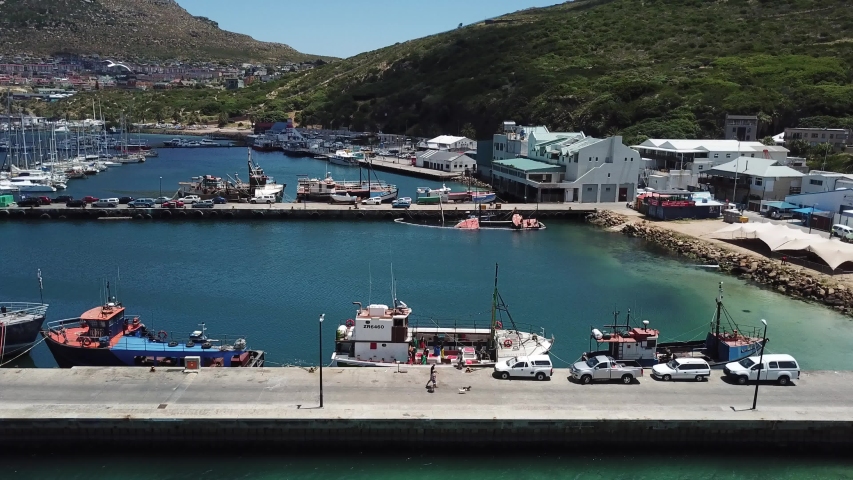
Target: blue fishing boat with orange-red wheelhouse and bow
(108,336)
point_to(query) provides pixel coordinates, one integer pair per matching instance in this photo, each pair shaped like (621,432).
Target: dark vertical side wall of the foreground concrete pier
(449,436)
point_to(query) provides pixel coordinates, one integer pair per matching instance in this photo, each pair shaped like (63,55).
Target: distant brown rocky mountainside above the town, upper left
(127,29)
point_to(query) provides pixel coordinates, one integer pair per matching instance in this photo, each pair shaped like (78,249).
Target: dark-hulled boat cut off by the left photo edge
(20,323)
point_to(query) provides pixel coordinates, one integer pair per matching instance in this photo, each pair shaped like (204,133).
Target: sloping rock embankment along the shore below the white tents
(790,281)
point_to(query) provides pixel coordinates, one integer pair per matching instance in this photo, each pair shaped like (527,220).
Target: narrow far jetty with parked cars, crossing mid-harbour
(308,210)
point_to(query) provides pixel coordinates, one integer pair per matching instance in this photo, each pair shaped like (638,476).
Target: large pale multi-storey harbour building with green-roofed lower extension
(570,168)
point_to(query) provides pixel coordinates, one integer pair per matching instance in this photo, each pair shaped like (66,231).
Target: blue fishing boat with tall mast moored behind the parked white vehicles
(622,341)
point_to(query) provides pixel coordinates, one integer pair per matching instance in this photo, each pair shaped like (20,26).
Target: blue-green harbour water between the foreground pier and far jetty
(270,281)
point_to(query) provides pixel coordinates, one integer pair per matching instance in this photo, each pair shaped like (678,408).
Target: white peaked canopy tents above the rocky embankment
(782,237)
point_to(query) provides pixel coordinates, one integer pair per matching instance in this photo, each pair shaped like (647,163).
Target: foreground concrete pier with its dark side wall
(274,408)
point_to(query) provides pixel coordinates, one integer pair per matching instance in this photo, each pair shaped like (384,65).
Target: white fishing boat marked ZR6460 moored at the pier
(383,336)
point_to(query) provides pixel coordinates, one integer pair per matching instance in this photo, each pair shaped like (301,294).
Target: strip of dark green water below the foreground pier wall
(417,467)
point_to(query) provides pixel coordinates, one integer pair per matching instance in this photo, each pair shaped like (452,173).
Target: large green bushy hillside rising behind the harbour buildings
(642,68)
